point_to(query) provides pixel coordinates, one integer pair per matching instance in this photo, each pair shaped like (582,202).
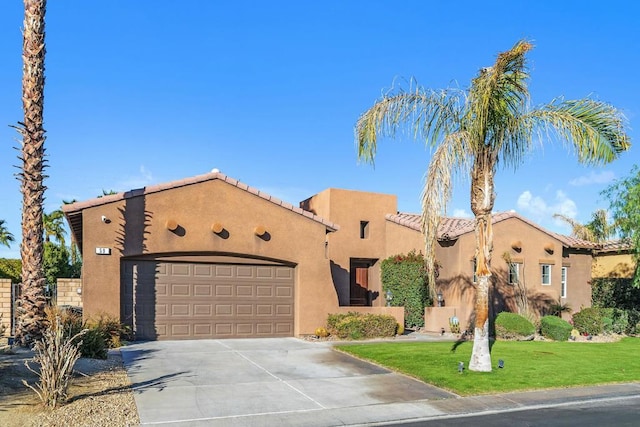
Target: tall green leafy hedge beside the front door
(405,277)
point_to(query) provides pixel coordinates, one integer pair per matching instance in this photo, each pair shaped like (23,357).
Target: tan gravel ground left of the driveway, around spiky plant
(99,395)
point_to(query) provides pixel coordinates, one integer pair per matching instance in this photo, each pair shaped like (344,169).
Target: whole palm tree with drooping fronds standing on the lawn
(475,130)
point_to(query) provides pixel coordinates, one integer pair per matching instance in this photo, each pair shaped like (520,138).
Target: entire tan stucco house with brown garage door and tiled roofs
(211,257)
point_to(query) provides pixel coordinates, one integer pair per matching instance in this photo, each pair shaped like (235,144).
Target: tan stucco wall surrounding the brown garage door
(138,227)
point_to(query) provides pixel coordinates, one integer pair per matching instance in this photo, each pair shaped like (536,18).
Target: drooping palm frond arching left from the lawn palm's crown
(426,114)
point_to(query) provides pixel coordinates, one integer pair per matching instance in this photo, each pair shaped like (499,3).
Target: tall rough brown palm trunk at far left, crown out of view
(32,301)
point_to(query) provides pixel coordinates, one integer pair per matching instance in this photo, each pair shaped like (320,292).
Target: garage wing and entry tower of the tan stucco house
(210,257)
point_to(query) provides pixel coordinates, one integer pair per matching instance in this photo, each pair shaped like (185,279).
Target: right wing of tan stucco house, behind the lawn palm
(546,267)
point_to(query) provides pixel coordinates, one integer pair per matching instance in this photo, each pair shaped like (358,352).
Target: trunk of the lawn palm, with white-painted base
(482,198)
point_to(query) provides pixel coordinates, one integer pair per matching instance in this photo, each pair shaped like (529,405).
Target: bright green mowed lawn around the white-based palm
(528,365)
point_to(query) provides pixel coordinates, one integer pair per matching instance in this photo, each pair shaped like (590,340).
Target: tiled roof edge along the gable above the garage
(73,211)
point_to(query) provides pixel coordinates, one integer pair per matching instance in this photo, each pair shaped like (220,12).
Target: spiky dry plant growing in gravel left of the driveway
(56,354)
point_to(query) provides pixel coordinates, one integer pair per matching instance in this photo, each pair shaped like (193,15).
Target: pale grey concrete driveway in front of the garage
(264,382)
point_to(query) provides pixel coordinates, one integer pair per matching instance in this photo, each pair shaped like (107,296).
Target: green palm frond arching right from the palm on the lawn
(596,130)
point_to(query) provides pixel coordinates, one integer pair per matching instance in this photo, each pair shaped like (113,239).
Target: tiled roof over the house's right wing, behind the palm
(451,228)
